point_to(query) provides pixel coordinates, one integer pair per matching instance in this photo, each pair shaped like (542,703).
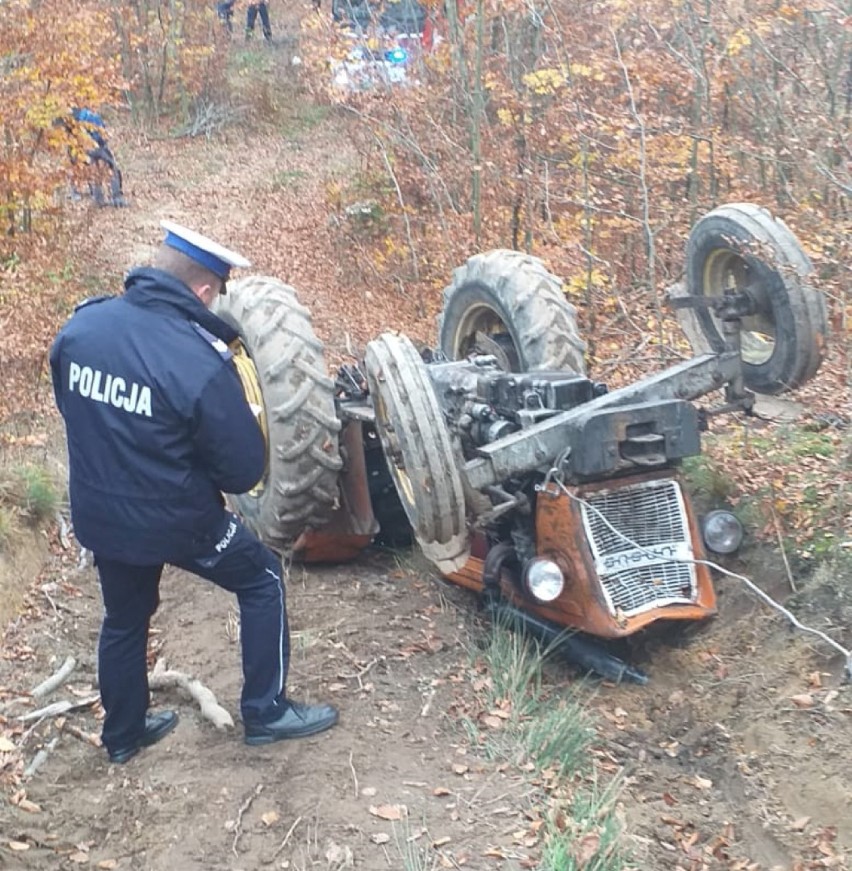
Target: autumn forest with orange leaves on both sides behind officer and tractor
(591,134)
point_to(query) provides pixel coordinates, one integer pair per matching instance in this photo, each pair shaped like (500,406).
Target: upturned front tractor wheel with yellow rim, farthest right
(741,246)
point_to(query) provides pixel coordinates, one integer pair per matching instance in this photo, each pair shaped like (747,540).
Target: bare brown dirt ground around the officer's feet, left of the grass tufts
(375,644)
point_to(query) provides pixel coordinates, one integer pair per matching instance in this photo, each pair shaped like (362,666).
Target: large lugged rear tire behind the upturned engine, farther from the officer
(506,303)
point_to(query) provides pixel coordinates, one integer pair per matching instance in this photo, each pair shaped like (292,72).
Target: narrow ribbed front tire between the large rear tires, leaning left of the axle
(418,450)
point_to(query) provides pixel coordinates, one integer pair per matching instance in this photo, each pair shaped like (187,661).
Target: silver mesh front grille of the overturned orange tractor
(640,568)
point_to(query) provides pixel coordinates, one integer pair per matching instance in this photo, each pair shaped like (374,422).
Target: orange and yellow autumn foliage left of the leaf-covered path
(157,58)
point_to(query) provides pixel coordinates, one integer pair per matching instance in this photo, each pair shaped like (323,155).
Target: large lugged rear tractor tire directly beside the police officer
(286,366)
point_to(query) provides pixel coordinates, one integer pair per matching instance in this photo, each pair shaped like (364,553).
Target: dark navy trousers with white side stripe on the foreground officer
(238,562)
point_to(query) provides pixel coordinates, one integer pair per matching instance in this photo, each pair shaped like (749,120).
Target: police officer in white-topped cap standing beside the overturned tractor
(158,428)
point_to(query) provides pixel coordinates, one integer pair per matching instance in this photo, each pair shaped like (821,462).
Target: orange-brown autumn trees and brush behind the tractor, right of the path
(594,134)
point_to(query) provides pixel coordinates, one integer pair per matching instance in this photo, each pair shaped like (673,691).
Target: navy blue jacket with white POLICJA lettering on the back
(157,422)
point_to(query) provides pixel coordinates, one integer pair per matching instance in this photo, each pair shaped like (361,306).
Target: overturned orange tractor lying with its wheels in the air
(521,478)
